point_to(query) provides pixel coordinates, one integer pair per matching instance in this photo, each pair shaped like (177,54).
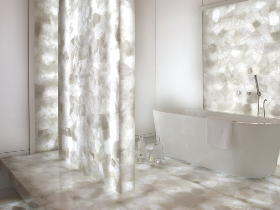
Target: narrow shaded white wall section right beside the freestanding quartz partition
(145,74)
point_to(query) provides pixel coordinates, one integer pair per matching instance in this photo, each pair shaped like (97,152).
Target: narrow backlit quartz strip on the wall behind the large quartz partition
(46,75)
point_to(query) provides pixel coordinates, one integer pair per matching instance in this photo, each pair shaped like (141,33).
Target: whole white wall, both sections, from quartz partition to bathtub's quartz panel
(168,34)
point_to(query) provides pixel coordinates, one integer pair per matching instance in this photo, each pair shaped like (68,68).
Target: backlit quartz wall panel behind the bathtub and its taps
(241,40)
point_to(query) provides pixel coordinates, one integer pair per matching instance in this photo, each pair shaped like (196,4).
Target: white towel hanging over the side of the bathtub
(219,132)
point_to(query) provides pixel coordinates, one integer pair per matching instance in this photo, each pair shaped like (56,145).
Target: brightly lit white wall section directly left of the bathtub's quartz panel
(179,54)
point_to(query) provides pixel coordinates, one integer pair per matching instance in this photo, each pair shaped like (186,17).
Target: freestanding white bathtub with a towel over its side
(254,147)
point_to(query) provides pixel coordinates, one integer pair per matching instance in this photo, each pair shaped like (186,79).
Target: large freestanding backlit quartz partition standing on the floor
(96,89)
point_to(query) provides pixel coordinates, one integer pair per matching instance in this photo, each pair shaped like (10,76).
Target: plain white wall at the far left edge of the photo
(14,118)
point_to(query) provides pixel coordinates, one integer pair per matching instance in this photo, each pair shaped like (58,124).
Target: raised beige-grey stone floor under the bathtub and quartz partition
(170,185)
